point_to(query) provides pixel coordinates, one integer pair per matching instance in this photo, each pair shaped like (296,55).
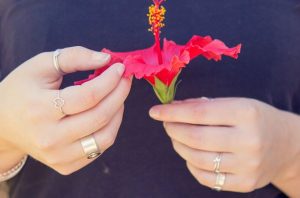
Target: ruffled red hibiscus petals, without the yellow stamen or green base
(144,63)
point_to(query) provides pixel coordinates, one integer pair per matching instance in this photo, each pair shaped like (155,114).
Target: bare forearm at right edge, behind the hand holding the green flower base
(288,179)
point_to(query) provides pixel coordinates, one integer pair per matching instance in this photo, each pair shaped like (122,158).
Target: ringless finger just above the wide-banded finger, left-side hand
(83,124)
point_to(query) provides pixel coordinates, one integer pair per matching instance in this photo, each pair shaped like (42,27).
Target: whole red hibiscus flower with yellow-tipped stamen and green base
(161,66)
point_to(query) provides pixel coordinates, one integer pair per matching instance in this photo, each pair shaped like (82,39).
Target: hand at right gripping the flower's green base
(251,137)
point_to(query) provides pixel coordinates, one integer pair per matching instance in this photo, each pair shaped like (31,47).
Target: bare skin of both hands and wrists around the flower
(259,143)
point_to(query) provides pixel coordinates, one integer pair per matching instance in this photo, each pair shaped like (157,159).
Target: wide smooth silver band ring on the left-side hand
(90,147)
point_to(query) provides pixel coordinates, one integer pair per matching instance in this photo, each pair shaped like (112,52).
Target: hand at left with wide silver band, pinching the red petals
(30,124)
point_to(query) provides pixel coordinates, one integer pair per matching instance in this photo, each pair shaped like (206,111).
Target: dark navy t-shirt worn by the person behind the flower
(142,162)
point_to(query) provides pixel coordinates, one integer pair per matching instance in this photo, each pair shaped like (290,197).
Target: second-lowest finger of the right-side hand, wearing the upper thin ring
(205,160)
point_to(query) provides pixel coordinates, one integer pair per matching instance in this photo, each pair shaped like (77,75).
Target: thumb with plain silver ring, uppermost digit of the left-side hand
(70,60)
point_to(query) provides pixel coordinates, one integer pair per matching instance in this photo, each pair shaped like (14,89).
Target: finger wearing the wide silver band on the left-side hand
(104,139)
